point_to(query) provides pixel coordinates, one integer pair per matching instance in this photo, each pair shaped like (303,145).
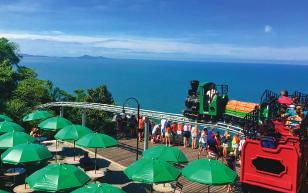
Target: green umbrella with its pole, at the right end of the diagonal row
(96,140)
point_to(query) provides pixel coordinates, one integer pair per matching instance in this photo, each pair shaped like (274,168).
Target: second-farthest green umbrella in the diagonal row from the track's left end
(72,132)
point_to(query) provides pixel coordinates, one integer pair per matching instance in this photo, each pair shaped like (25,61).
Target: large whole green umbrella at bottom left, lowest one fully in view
(57,177)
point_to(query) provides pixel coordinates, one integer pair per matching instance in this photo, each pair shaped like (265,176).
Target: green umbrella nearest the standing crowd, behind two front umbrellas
(164,153)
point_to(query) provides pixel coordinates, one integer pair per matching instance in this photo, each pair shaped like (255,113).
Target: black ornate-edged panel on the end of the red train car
(268,165)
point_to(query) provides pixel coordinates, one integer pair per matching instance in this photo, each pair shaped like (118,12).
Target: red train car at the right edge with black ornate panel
(277,163)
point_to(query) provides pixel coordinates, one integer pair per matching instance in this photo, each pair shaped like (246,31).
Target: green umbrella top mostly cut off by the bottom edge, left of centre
(99,188)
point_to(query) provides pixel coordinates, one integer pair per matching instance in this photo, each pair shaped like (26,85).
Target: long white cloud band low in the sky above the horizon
(131,46)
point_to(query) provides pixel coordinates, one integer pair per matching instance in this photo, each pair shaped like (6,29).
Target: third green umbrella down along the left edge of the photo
(13,138)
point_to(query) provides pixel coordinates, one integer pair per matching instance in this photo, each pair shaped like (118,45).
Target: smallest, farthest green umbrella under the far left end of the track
(54,123)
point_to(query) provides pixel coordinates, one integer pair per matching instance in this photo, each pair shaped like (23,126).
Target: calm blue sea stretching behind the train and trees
(163,85)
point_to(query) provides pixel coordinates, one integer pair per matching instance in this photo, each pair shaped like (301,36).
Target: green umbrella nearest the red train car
(209,172)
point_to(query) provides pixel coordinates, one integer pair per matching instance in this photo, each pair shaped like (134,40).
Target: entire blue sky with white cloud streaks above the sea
(159,29)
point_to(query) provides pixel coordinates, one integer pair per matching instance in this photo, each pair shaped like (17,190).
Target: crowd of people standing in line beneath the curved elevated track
(208,141)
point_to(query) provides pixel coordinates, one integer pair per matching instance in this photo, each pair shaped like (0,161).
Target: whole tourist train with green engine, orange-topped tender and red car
(275,153)
